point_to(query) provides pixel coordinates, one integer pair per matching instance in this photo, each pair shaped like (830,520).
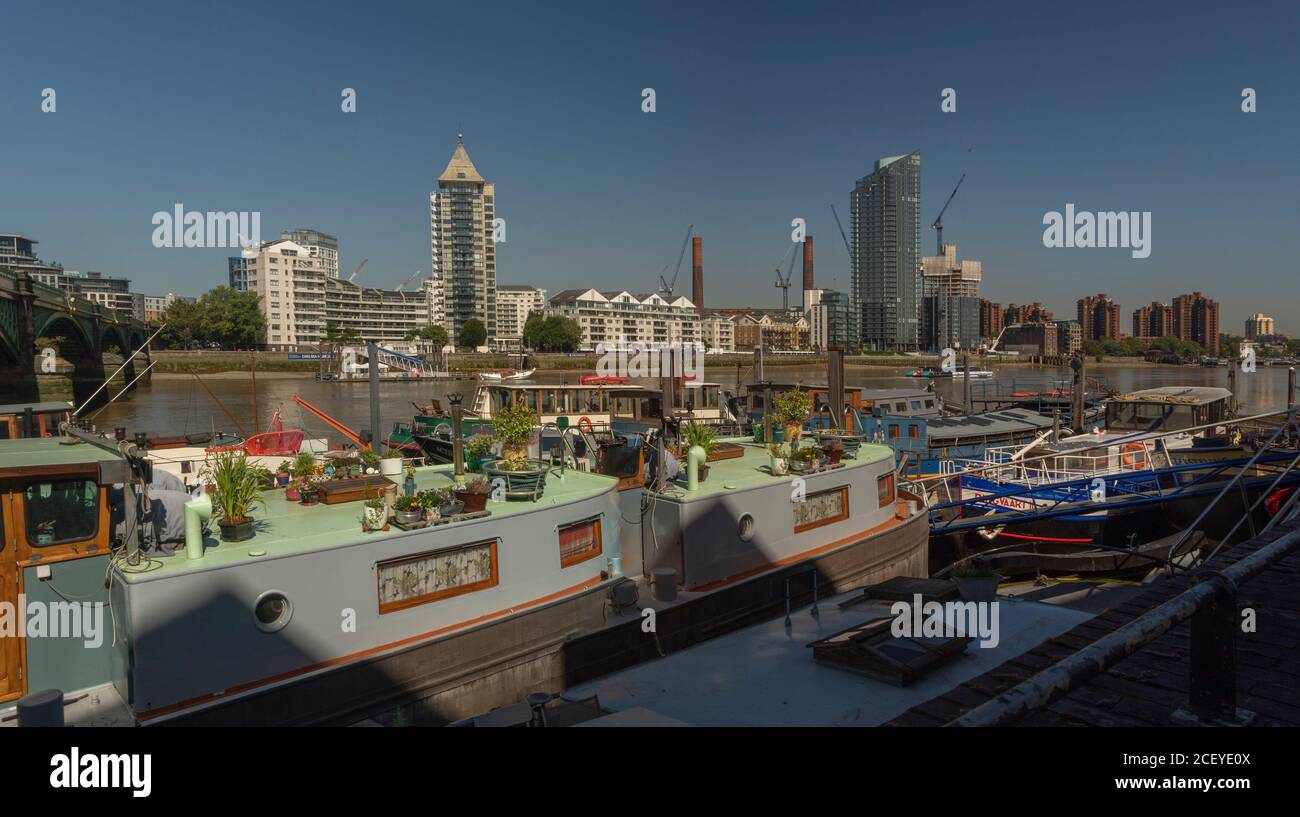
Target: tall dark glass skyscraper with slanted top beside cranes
(885,213)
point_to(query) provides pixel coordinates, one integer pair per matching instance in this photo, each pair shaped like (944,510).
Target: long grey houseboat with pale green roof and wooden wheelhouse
(318,620)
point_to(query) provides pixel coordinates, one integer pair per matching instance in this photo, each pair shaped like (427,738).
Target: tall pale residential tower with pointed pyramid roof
(465,257)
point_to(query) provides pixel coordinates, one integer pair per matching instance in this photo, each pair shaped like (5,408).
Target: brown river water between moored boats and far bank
(175,405)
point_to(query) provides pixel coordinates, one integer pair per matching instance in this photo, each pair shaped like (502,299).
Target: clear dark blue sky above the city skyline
(765,113)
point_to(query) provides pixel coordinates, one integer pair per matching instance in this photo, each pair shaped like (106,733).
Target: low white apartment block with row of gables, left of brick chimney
(621,318)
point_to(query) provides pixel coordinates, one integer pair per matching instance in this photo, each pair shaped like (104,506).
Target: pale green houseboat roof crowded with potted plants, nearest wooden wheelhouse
(287,529)
